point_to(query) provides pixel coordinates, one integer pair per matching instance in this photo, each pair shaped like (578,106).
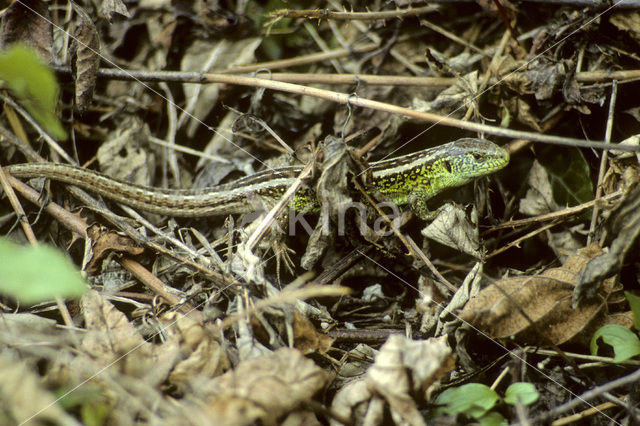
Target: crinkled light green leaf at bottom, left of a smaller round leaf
(472,399)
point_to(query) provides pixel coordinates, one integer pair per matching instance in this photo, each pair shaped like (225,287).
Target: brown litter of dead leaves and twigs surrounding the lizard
(210,330)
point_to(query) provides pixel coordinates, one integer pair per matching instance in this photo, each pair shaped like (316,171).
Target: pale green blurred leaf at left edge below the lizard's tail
(36,274)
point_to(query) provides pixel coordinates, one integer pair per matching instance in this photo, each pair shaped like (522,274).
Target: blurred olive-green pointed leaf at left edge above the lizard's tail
(34,86)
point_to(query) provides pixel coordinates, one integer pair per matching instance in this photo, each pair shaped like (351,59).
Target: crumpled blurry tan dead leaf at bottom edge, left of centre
(264,388)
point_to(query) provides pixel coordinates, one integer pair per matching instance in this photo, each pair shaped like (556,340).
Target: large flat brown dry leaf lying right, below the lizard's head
(546,301)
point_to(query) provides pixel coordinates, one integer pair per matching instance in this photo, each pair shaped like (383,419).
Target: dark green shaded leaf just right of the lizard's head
(569,175)
